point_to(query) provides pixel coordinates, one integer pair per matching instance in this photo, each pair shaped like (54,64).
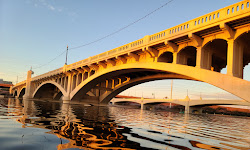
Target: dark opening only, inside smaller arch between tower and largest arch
(48,91)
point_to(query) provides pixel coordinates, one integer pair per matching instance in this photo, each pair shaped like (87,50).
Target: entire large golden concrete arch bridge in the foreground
(195,50)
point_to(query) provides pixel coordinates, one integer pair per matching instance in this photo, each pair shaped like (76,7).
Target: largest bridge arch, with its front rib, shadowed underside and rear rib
(106,85)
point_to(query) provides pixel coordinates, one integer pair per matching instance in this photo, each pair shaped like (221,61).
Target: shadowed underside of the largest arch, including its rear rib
(102,89)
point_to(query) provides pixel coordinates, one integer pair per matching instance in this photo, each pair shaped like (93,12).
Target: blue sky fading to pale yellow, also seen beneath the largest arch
(34,32)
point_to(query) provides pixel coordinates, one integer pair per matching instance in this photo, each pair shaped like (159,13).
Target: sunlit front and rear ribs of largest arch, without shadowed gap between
(231,84)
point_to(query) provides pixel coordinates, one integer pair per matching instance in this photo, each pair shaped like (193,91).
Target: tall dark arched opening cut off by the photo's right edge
(242,45)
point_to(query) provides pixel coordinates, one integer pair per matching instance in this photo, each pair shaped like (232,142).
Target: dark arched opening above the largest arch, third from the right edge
(187,56)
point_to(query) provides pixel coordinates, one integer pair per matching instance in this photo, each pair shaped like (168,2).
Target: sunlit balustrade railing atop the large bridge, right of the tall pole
(178,30)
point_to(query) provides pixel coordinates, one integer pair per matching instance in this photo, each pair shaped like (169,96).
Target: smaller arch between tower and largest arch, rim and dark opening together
(47,90)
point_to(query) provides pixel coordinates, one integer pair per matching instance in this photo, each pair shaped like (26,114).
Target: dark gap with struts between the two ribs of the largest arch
(108,81)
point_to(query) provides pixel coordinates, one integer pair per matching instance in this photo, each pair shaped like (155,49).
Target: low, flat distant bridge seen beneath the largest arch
(190,105)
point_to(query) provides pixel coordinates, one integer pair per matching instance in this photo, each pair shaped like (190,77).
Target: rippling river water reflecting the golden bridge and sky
(41,125)
